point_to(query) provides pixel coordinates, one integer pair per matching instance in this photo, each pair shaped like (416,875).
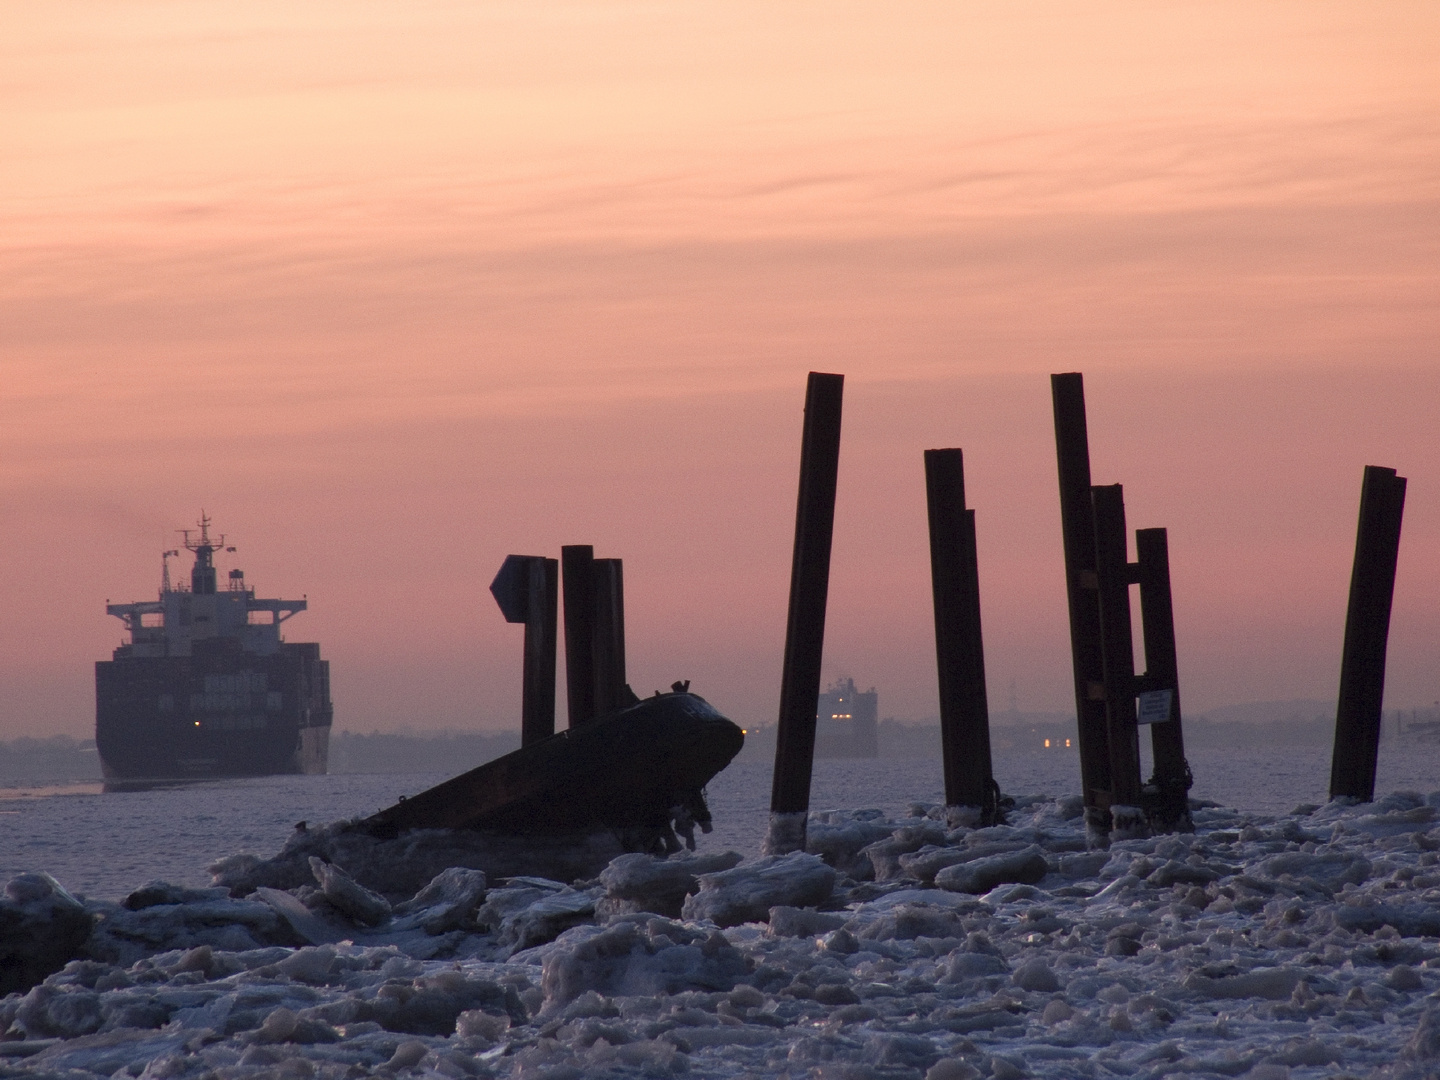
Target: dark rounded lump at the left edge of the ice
(42,928)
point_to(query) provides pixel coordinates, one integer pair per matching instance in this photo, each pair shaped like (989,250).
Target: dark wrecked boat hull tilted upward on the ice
(643,768)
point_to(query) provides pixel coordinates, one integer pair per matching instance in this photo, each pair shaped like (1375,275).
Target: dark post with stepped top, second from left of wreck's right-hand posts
(960,654)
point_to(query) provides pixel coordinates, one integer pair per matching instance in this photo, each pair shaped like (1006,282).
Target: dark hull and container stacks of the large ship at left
(217,714)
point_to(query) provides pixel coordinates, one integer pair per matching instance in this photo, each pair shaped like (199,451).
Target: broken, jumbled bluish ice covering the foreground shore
(1305,945)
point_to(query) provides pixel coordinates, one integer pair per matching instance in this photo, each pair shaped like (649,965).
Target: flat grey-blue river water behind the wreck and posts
(106,845)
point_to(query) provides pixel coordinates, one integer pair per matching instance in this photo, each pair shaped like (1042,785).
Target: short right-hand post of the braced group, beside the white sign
(1173,778)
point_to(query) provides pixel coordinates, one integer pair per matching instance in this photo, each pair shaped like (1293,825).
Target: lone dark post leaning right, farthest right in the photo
(1367,631)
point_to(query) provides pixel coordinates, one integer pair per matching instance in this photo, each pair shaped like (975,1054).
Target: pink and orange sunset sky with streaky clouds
(397,290)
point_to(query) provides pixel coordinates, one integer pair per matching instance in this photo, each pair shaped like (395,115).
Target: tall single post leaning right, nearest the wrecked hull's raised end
(806,626)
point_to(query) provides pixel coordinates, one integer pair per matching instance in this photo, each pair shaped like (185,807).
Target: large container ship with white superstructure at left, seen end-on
(207,688)
